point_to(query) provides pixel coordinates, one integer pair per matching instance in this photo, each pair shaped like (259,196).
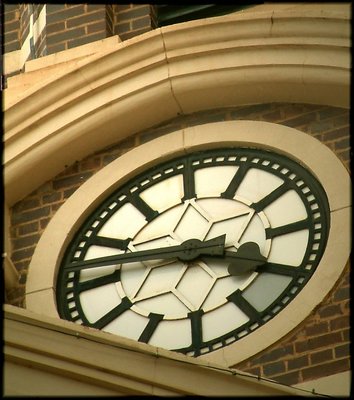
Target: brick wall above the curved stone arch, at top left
(71,25)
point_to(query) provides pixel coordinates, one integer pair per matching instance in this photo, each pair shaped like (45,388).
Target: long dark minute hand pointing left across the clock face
(186,251)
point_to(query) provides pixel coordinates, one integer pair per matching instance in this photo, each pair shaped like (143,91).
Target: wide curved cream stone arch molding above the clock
(282,55)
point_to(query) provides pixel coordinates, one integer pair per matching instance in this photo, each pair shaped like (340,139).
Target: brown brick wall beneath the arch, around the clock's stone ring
(320,346)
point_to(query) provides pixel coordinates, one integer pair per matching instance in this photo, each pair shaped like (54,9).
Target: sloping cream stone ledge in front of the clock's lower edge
(42,348)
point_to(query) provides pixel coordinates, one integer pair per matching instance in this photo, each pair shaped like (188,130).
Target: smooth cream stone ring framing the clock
(324,165)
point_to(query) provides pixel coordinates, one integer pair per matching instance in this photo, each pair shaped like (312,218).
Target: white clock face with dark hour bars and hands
(198,252)
